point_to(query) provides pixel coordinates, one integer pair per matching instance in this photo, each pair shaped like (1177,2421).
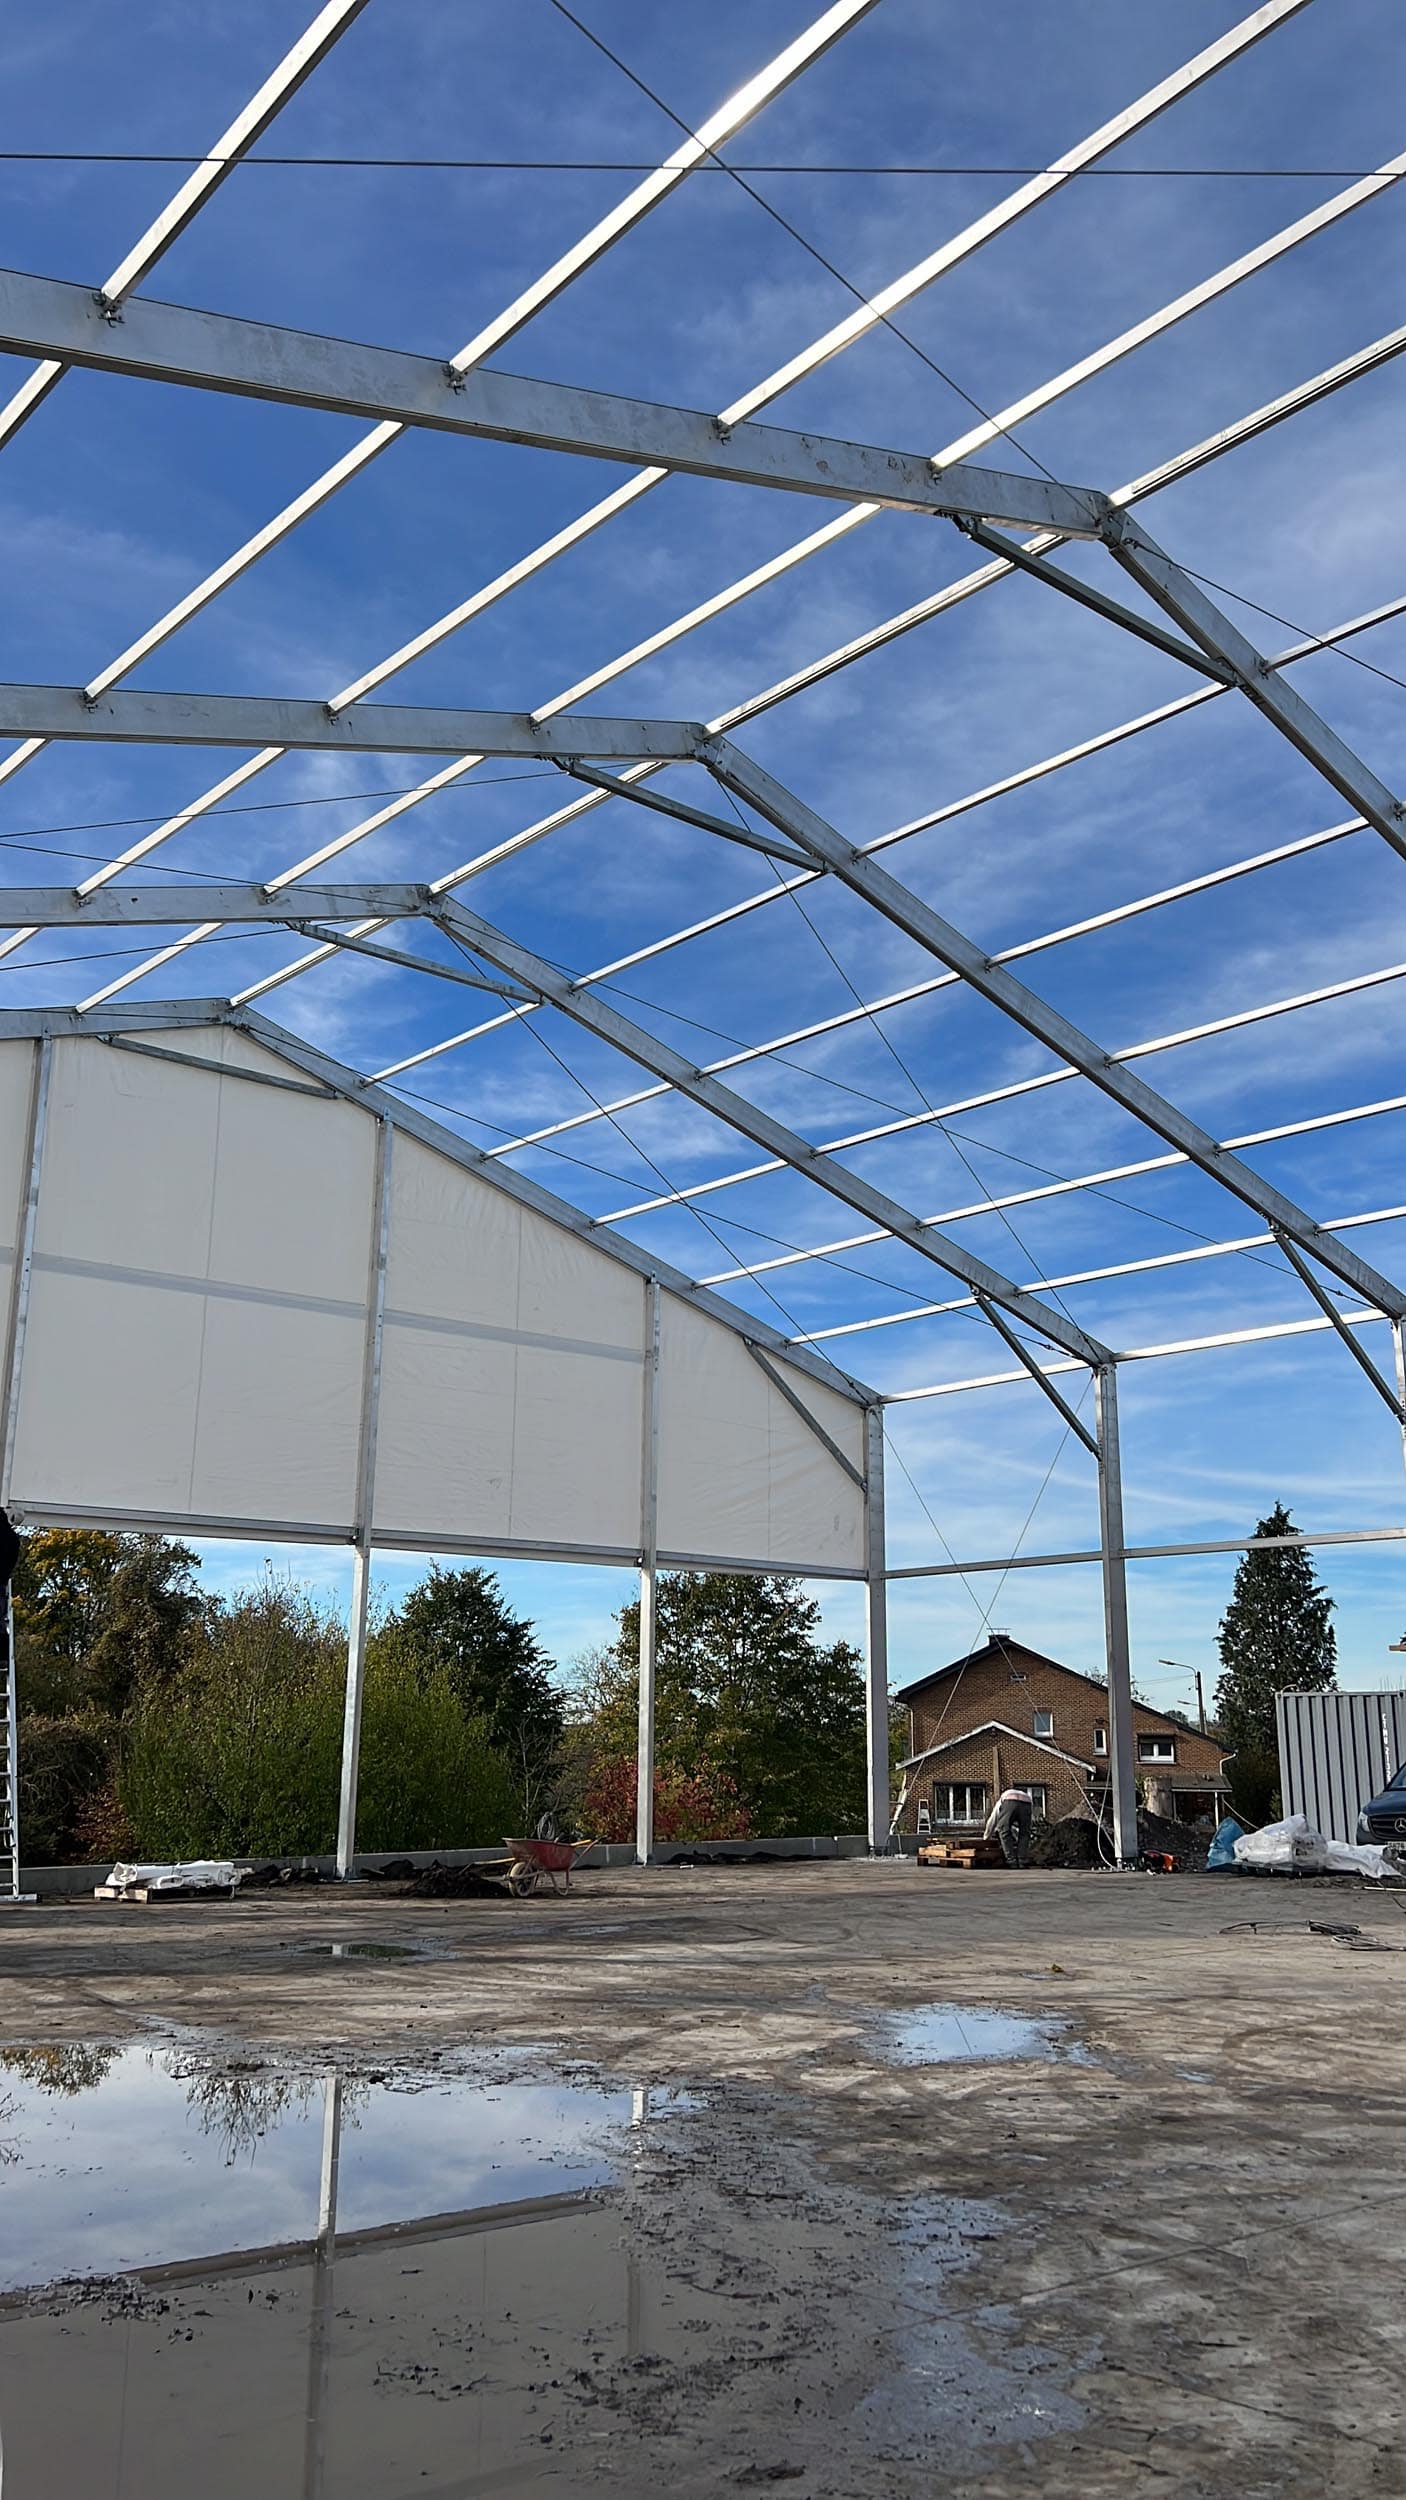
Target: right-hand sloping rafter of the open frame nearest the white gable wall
(642,1046)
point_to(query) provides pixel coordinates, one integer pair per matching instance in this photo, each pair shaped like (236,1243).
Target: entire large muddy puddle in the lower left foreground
(362,2289)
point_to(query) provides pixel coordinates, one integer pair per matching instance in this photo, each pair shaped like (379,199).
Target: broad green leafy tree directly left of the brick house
(744,1694)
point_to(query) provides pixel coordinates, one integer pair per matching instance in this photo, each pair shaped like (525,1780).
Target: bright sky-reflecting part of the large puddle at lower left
(116,2161)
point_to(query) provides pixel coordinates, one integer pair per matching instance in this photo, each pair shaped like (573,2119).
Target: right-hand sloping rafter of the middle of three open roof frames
(1034,1016)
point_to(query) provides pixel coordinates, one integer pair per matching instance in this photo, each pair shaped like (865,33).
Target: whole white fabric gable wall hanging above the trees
(196,1346)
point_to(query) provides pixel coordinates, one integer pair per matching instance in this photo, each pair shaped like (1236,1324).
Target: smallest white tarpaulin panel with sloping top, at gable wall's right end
(739,1471)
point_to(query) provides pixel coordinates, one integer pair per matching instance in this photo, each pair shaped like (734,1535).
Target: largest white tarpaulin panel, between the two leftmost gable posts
(199,1296)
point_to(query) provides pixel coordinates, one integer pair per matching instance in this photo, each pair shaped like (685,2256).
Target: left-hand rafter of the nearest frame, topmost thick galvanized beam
(211,351)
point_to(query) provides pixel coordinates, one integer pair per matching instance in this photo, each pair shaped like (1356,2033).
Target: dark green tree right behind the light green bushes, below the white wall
(462,1629)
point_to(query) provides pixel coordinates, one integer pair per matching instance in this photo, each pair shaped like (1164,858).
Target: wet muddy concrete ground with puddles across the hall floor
(434,2226)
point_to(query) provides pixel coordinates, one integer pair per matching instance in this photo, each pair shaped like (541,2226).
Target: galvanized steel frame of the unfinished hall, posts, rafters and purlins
(114,331)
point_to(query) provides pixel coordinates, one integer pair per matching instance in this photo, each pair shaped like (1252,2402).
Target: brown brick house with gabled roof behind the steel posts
(1014,1719)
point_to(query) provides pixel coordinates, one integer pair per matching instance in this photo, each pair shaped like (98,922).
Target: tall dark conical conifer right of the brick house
(1275,1639)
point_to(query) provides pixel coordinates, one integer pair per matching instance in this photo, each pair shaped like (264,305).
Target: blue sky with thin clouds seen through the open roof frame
(116,499)
